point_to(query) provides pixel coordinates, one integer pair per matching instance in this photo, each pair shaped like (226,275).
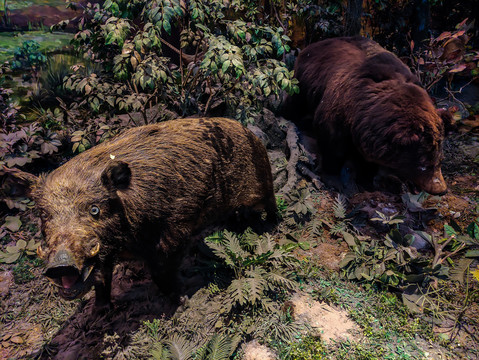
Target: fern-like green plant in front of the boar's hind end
(261,268)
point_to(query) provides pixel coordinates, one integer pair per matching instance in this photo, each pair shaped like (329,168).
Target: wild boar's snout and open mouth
(70,280)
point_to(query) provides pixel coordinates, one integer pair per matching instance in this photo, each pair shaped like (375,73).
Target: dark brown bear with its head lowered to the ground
(364,105)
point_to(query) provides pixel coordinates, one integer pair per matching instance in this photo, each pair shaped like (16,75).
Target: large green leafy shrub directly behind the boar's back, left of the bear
(223,61)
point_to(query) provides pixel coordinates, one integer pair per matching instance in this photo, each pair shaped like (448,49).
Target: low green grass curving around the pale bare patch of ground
(389,330)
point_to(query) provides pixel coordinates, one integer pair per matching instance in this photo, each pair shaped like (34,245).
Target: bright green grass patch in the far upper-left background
(48,41)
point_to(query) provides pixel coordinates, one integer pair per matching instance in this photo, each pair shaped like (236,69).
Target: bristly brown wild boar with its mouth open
(146,192)
